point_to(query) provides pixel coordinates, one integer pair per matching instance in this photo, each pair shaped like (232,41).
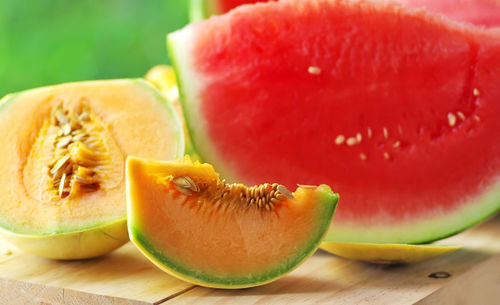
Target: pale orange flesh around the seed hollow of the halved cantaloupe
(137,121)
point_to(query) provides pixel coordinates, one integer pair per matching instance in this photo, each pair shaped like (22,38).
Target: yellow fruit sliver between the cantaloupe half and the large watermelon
(163,78)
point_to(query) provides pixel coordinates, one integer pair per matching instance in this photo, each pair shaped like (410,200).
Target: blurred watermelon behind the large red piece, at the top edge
(480,12)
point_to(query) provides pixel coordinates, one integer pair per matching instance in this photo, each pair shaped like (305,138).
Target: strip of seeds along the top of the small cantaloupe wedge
(265,196)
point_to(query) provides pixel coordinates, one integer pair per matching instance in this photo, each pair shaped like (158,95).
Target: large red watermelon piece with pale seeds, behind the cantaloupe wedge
(397,109)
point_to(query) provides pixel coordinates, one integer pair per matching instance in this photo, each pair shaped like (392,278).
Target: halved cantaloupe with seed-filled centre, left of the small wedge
(63,162)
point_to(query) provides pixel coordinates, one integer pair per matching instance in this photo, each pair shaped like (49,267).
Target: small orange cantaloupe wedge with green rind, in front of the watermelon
(205,231)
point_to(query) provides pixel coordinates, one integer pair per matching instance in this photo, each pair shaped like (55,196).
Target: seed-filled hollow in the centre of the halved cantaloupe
(73,154)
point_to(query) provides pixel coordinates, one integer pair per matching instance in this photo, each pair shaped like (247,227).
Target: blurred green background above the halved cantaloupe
(45,42)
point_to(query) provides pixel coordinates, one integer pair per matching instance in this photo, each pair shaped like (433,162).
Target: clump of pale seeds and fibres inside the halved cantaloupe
(78,151)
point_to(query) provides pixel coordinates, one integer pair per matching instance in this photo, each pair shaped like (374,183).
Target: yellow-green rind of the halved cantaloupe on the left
(96,237)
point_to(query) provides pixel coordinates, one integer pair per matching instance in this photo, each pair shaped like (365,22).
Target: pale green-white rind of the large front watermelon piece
(441,225)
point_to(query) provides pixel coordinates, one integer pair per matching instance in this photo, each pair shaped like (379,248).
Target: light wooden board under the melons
(125,277)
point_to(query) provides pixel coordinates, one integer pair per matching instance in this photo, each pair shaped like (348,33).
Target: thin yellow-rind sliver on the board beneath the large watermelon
(387,253)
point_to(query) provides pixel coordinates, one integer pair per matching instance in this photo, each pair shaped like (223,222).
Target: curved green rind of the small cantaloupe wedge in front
(326,200)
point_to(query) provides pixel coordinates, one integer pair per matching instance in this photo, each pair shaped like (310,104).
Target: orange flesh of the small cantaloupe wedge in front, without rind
(230,239)
